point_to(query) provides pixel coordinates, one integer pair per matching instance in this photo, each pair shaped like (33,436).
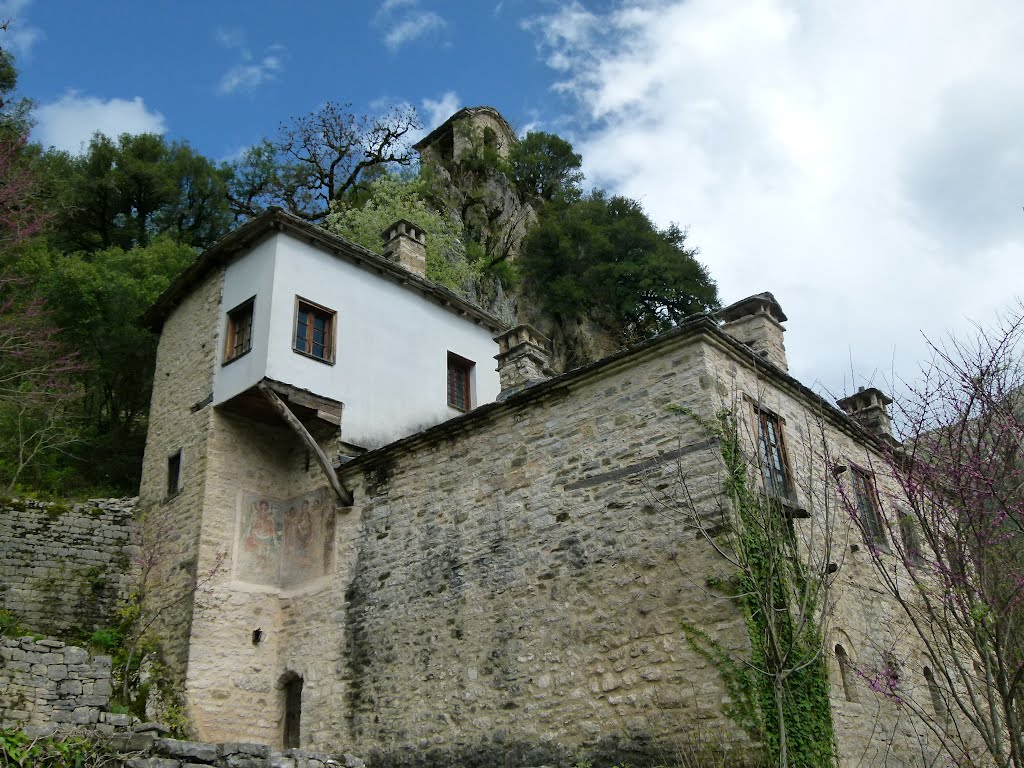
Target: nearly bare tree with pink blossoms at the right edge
(949,546)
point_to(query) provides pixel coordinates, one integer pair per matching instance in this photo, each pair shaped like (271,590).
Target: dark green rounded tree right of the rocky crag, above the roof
(604,259)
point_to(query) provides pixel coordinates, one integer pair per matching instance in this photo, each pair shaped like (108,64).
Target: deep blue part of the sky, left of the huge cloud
(221,79)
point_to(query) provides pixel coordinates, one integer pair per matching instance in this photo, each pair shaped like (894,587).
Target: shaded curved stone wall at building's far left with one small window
(180,420)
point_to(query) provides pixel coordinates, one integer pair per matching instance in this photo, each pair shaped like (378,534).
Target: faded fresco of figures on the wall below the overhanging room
(284,543)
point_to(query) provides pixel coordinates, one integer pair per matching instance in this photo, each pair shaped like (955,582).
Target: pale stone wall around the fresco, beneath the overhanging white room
(235,685)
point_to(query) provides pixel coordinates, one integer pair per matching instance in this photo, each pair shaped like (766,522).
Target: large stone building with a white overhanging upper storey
(359,558)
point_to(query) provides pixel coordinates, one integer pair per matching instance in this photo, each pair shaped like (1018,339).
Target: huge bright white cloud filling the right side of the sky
(863,163)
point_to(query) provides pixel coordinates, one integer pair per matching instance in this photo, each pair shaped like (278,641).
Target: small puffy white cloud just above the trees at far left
(70,122)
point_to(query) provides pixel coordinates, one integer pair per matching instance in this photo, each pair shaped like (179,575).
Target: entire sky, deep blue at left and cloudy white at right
(863,161)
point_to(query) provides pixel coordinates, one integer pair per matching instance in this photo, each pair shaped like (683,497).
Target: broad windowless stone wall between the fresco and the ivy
(519,586)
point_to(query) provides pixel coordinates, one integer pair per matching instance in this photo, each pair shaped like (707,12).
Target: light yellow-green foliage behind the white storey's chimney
(390,198)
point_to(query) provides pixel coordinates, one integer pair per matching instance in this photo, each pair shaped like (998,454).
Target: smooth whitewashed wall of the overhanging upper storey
(392,349)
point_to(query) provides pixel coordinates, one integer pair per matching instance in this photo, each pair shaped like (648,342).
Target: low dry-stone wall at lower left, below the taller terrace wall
(47,681)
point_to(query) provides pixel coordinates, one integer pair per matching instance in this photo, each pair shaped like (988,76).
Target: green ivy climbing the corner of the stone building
(780,693)
